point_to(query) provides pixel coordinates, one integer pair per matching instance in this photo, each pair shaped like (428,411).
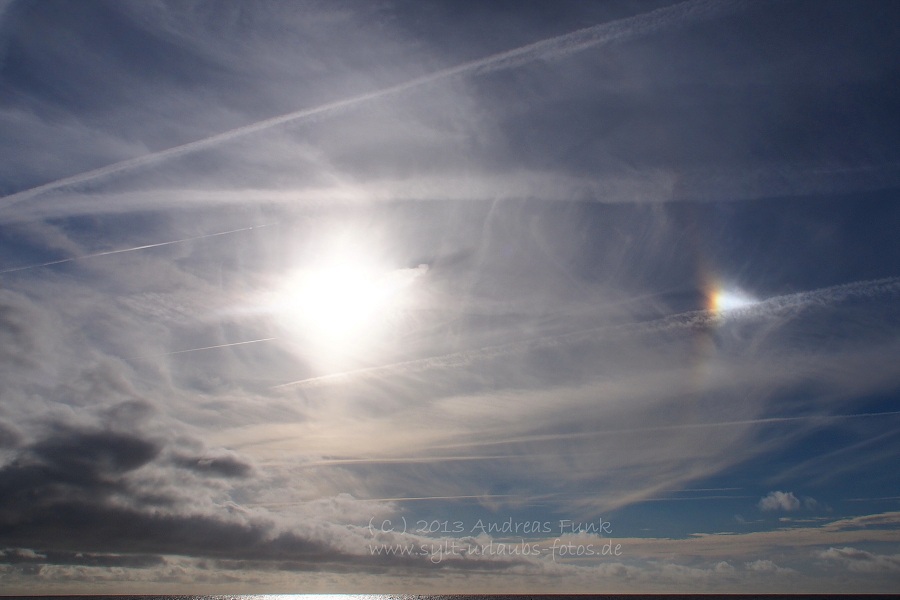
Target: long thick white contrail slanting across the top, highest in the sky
(644,24)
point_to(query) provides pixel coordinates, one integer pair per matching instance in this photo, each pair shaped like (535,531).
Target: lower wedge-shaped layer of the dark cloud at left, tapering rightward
(106,534)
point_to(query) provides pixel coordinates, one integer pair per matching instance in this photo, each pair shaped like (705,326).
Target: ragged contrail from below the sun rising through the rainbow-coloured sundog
(685,320)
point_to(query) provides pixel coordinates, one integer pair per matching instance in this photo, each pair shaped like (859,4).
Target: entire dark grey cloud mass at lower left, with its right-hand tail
(78,497)
